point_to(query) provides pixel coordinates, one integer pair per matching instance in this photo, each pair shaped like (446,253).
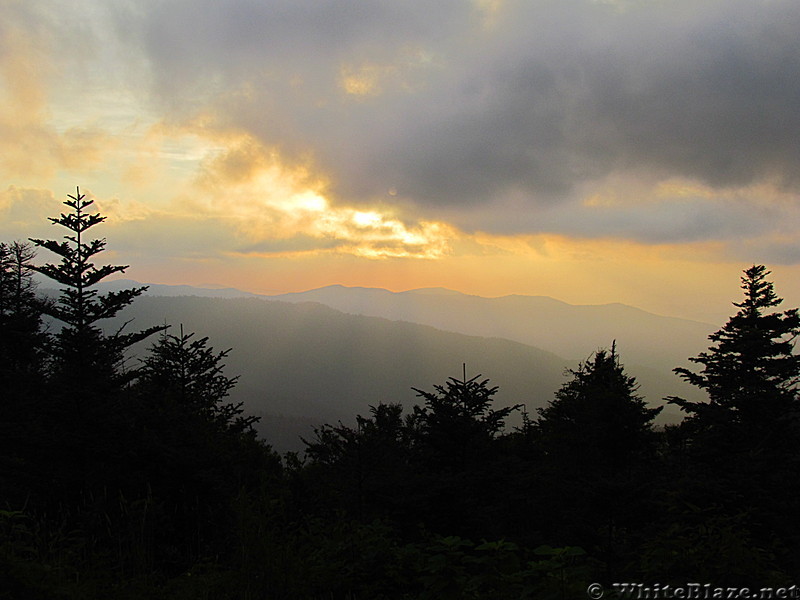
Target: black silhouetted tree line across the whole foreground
(141,479)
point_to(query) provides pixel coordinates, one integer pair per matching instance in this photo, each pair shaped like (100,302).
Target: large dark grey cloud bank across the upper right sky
(472,107)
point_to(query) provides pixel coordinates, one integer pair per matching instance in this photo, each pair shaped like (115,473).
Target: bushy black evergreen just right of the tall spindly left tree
(198,452)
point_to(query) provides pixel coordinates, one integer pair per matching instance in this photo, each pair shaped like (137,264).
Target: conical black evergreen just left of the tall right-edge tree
(597,445)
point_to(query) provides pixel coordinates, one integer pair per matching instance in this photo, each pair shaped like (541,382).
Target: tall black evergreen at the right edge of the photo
(740,447)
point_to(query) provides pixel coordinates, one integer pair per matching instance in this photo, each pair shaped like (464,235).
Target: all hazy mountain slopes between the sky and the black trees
(327,354)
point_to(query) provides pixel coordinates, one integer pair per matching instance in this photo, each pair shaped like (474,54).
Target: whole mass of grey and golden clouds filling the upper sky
(506,117)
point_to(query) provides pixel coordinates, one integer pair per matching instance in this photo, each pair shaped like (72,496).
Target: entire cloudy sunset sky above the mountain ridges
(635,151)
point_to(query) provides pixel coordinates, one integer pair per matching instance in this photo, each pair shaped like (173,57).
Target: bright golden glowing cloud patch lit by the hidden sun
(273,206)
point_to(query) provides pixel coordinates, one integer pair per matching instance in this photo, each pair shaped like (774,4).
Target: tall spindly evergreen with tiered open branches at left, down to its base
(85,411)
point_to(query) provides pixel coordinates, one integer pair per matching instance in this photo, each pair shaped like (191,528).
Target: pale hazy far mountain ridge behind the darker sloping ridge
(571,331)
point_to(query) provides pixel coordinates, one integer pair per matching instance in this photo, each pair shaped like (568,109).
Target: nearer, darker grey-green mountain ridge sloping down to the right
(305,364)
